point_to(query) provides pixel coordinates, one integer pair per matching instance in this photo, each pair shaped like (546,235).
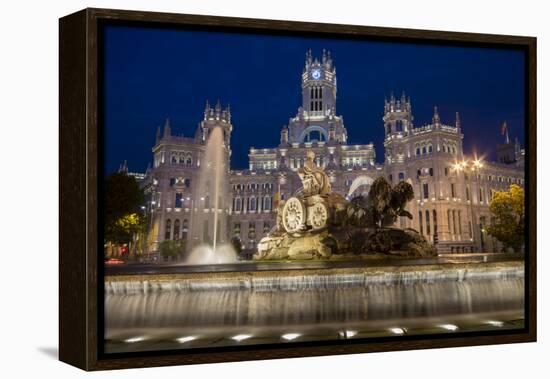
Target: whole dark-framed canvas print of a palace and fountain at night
(237,189)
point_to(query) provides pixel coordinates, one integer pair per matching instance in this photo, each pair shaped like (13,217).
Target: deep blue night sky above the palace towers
(152,74)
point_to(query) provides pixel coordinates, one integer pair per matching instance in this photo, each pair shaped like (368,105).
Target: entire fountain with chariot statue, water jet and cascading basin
(286,305)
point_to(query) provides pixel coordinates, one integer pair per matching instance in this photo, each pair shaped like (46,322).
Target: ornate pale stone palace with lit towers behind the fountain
(452,190)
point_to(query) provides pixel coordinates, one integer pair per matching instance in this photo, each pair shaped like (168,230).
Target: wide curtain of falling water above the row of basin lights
(304,300)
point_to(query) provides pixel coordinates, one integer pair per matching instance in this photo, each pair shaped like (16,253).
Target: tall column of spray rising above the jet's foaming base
(210,210)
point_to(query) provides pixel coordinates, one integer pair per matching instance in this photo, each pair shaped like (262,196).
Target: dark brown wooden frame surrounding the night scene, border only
(81,167)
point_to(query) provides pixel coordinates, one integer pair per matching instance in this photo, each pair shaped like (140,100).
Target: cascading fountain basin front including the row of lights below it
(217,309)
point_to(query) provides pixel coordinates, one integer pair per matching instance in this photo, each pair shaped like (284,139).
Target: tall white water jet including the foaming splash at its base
(210,208)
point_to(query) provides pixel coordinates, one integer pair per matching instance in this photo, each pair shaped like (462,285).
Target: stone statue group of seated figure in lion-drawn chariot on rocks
(317,223)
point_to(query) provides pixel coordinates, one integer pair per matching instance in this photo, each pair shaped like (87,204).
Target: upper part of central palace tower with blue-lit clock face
(319,85)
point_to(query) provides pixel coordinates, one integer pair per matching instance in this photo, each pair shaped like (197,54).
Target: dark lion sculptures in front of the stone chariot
(382,206)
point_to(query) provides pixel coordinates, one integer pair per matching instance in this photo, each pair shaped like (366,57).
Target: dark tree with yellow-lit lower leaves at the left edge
(122,202)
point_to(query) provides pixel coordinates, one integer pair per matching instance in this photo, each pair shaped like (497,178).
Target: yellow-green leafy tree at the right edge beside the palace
(508,208)
